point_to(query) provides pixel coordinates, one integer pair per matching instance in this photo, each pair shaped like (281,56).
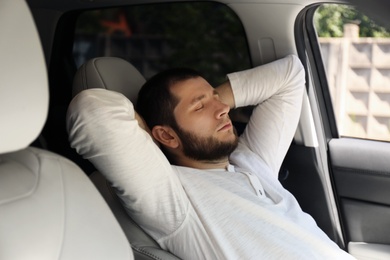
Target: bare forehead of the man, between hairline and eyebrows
(188,89)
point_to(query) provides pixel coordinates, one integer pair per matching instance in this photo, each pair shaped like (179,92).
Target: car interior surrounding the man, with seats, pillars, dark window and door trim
(55,204)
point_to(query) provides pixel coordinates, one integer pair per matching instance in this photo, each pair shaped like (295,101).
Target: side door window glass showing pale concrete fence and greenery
(356,55)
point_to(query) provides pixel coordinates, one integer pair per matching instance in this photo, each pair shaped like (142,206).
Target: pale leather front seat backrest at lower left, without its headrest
(49,209)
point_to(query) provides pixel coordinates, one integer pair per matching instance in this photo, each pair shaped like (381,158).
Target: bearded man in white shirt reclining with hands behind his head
(220,197)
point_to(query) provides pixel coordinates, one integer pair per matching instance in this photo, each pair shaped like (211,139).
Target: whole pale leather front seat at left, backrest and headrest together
(49,209)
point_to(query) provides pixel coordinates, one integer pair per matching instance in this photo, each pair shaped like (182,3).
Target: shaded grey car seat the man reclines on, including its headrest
(118,75)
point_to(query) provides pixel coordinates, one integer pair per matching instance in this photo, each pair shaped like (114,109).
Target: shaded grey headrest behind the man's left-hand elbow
(109,73)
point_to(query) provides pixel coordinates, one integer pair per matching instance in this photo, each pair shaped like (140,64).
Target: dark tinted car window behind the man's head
(205,36)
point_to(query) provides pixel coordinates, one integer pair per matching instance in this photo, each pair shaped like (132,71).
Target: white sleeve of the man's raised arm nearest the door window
(276,91)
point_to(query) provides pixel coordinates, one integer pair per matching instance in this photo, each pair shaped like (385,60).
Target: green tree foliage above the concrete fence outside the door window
(329,20)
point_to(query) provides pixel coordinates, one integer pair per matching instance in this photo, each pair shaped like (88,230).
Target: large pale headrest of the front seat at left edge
(24,95)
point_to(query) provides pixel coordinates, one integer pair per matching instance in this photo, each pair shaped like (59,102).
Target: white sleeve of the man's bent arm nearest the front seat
(102,128)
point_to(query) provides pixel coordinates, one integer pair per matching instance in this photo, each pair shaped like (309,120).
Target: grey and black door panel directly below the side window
(361,174)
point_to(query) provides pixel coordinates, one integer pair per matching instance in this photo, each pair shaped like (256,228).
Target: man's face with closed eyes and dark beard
(204,127)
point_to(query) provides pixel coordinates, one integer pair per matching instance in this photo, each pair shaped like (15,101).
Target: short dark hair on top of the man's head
(156,102)
